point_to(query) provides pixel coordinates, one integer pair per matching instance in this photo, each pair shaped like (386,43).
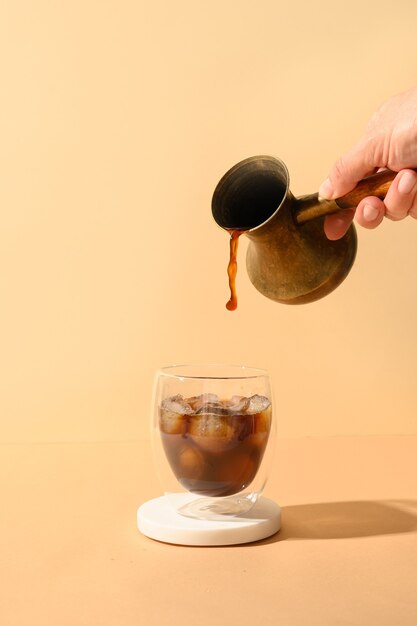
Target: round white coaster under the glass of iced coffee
(158,520)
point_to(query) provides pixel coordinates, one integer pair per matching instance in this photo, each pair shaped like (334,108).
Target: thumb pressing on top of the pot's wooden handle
(348,171)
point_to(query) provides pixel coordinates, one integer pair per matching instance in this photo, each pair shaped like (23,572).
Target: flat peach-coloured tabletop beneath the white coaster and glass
(347,553)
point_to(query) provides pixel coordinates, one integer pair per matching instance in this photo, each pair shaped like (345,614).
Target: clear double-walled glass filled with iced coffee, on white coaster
(213,437)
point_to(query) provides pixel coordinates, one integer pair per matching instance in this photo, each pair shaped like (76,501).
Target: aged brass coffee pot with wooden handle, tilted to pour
(289,258)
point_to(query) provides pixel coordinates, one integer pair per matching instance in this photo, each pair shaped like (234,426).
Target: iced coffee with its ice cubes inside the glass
(215,446)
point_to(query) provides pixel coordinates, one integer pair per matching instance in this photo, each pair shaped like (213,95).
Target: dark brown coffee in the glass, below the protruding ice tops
(216,455)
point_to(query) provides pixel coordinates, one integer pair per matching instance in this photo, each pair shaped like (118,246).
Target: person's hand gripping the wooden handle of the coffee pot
(389,141)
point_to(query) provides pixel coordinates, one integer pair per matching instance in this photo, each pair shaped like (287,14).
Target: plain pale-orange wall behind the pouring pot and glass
(116,121)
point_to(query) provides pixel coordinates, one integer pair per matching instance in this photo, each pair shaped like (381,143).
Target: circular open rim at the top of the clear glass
(241,372)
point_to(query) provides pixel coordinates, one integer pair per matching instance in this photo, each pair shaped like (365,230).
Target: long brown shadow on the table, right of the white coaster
(341,520)
